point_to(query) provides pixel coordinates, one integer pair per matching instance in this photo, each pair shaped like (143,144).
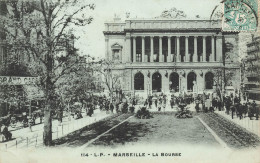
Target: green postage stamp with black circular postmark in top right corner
(240,15)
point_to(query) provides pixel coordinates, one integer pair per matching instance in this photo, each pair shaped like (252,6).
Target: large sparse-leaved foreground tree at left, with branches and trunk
(41,30)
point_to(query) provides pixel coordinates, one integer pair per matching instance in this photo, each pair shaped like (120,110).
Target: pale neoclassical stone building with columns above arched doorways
(171,56)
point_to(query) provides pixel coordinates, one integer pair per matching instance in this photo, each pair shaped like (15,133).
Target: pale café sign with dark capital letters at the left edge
(16,80)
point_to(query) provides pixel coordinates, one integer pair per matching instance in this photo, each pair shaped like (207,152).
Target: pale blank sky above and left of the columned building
(92,40)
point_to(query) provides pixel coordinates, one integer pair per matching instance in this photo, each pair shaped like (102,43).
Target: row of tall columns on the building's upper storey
(214,56)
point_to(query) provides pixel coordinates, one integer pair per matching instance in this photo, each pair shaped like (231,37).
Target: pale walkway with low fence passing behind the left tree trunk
(24,138)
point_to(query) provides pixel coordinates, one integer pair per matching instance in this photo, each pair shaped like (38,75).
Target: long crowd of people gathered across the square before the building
(203,103)
